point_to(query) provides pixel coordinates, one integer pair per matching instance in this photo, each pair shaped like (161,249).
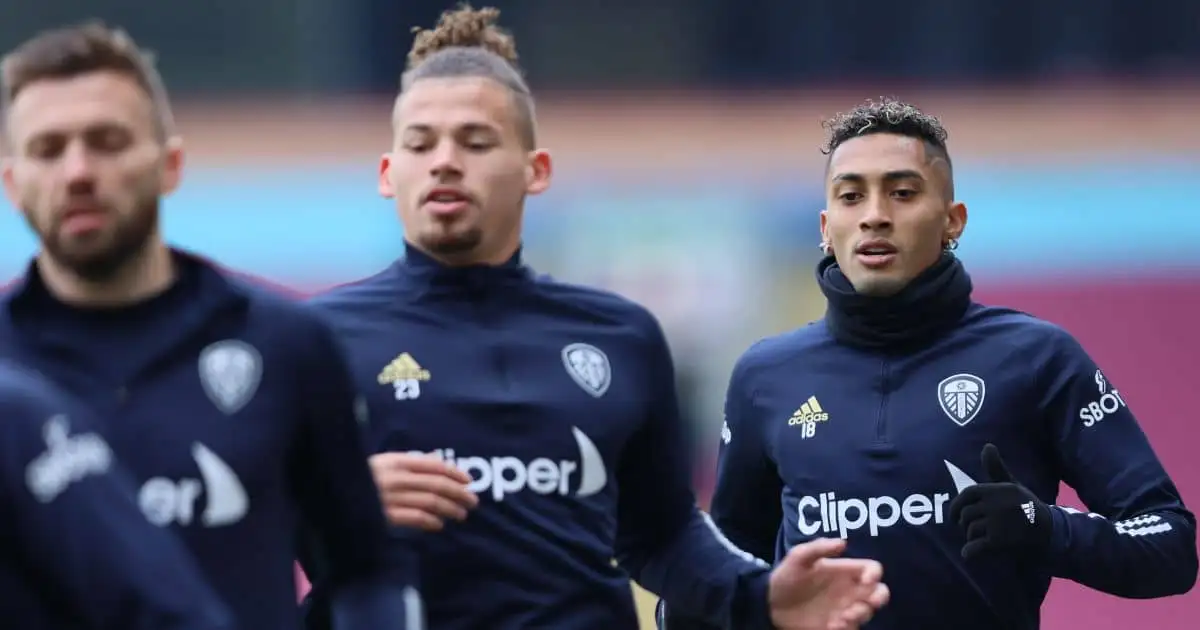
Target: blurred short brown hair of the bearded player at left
(82,50)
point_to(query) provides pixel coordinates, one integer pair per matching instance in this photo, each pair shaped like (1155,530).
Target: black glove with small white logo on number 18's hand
(1001,514)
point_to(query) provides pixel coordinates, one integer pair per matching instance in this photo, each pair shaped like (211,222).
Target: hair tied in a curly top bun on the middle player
(467,43)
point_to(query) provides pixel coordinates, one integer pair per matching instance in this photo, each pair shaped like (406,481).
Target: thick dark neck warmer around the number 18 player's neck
(927,309)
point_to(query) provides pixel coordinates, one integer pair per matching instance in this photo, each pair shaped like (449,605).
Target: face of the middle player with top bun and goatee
(459,172)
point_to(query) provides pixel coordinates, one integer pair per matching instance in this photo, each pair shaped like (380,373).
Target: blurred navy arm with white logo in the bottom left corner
(81,533)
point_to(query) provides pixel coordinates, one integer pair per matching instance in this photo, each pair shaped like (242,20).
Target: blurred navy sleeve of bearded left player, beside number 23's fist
(369,580)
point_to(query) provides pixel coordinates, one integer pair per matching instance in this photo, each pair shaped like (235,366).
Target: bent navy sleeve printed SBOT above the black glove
(1139,542)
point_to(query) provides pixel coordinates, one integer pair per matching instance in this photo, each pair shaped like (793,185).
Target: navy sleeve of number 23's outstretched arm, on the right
(663,539)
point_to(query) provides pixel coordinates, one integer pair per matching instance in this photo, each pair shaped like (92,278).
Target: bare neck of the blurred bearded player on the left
(146,275)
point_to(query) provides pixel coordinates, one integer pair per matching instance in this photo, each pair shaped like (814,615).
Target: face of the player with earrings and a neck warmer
(887,215)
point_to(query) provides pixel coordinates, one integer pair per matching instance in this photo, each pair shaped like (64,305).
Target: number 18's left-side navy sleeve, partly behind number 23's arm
(746,506)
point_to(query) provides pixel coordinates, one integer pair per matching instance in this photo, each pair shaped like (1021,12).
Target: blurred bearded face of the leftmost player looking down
(87,170)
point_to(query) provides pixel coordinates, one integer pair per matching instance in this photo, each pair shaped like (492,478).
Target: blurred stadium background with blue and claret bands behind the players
(687,136)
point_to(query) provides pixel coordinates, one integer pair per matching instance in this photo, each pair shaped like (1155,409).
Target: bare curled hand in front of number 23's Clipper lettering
(422,491)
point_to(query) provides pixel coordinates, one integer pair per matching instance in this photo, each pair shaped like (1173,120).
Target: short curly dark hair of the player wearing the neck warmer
(890,116)
